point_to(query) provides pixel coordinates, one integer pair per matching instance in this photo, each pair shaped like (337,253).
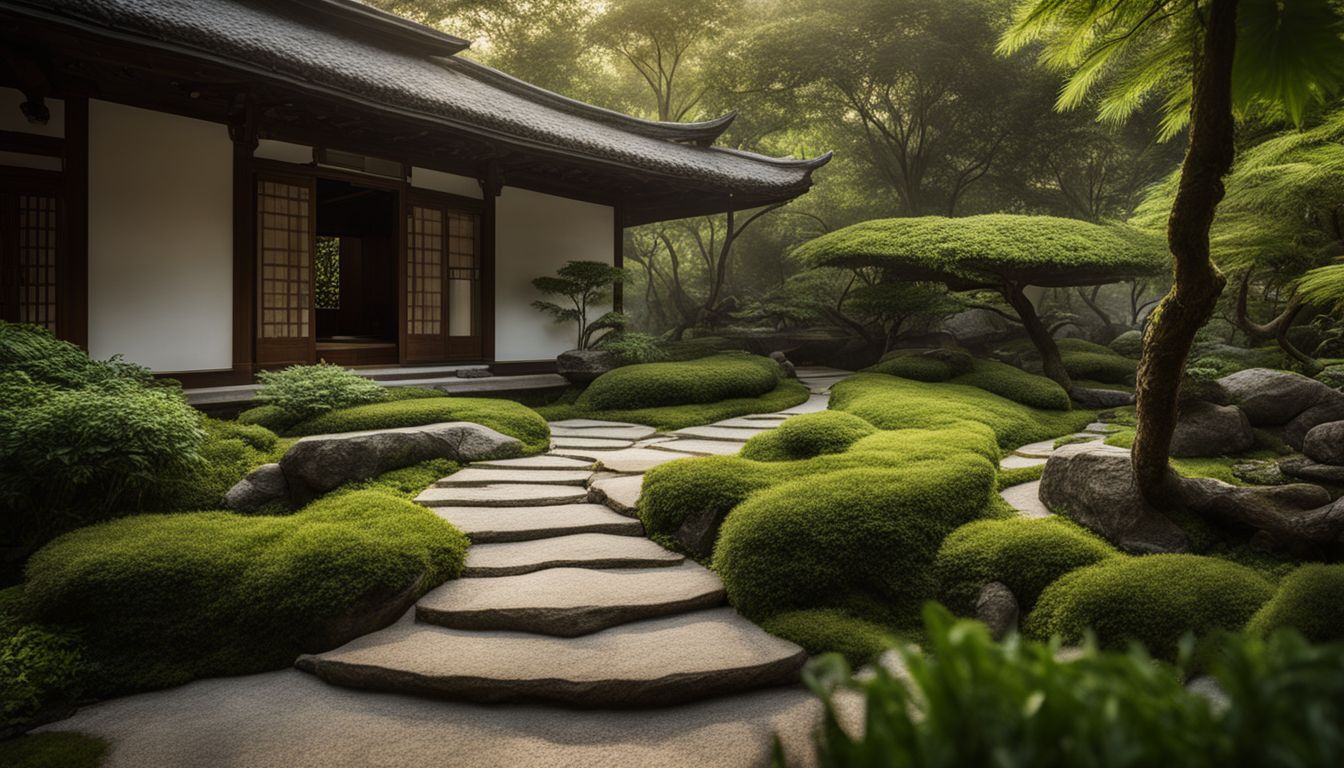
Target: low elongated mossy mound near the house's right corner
(708,380)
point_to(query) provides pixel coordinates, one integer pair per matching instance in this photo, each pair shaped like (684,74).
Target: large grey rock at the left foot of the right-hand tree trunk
(1095,486)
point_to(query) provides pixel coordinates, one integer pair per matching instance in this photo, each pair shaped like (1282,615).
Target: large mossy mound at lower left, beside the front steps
(165,599)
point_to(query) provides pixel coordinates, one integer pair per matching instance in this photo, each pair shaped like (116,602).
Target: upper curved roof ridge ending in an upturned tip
(702,134)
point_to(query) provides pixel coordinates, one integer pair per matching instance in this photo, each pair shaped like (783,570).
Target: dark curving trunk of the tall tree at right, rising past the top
(1197,286)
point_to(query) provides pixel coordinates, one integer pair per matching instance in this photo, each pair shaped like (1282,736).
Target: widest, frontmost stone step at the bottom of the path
(658,662)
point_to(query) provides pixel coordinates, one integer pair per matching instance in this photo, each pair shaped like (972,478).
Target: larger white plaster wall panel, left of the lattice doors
(161,239)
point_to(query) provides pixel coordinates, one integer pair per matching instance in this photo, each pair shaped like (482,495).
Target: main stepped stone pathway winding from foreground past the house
(564,601)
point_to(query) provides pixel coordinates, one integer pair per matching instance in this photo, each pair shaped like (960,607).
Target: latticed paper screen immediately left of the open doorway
(286,260)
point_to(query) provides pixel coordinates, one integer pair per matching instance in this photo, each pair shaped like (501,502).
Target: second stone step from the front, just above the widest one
(571,602)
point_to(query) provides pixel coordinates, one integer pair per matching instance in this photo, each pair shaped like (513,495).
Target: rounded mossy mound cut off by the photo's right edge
(1308,601)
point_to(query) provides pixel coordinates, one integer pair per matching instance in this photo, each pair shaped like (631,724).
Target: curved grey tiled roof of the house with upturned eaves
(302,42)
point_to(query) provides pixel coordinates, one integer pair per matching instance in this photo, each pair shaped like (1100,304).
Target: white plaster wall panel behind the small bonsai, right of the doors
(536,235)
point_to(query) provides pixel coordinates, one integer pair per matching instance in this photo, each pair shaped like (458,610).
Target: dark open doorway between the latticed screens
(355,274)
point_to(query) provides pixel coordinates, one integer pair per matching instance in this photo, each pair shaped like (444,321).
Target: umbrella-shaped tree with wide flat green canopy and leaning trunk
(998,252)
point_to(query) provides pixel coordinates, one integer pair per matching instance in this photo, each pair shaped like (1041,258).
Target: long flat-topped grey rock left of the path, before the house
(321,463)
